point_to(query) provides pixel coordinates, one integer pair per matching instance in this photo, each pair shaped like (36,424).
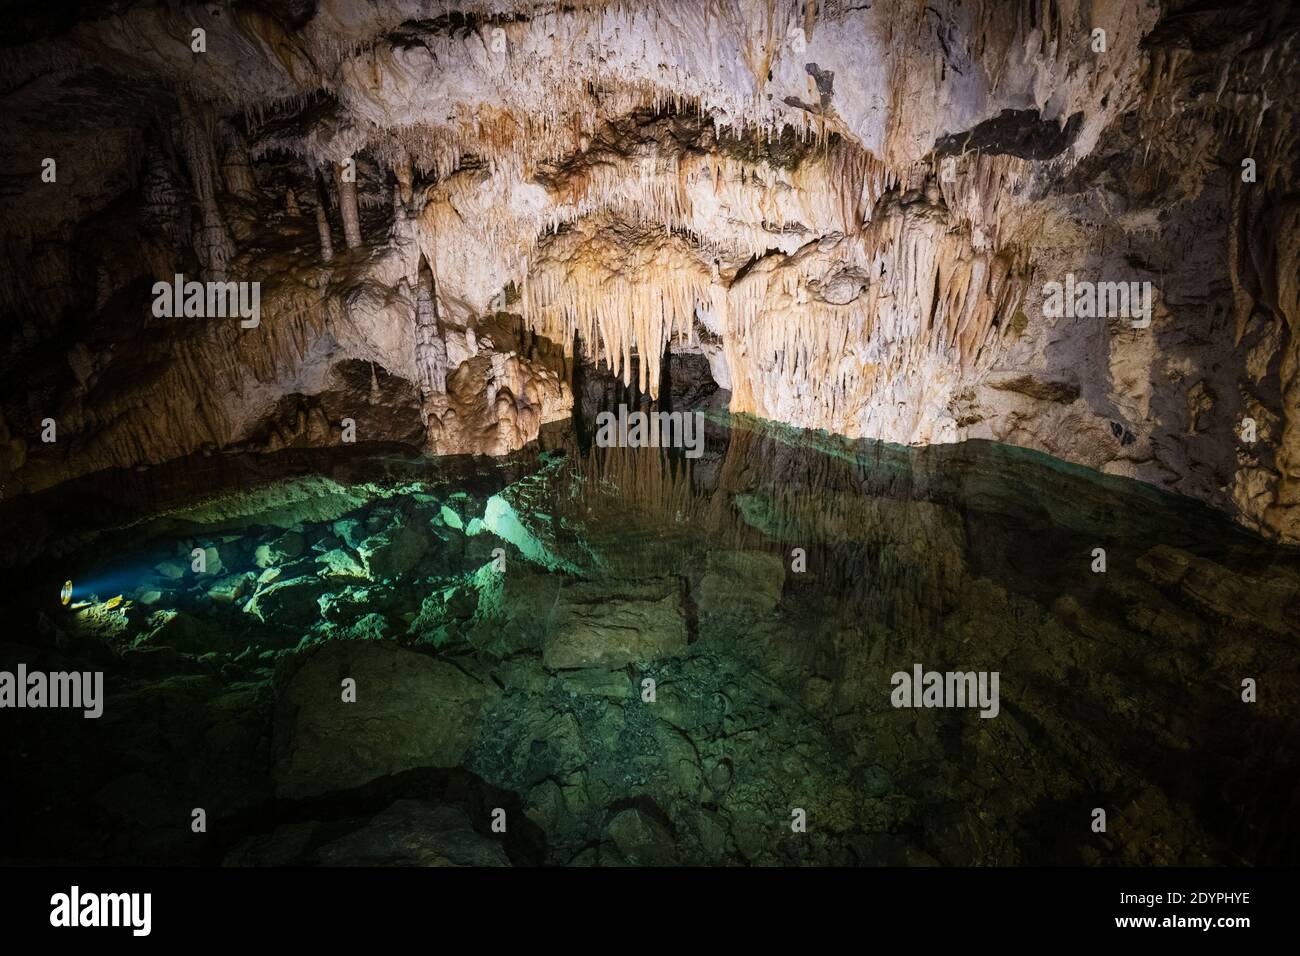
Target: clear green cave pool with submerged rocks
(500,620)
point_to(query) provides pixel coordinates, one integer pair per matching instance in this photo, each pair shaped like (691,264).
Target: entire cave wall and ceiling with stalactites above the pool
(852,211)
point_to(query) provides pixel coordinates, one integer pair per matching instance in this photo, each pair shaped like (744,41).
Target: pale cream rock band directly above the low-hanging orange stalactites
(735,210)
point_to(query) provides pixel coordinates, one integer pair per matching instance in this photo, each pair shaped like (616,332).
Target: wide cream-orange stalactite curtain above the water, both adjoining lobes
(839,317)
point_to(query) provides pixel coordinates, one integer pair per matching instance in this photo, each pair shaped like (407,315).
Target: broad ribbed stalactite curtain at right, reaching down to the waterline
(905,293)
